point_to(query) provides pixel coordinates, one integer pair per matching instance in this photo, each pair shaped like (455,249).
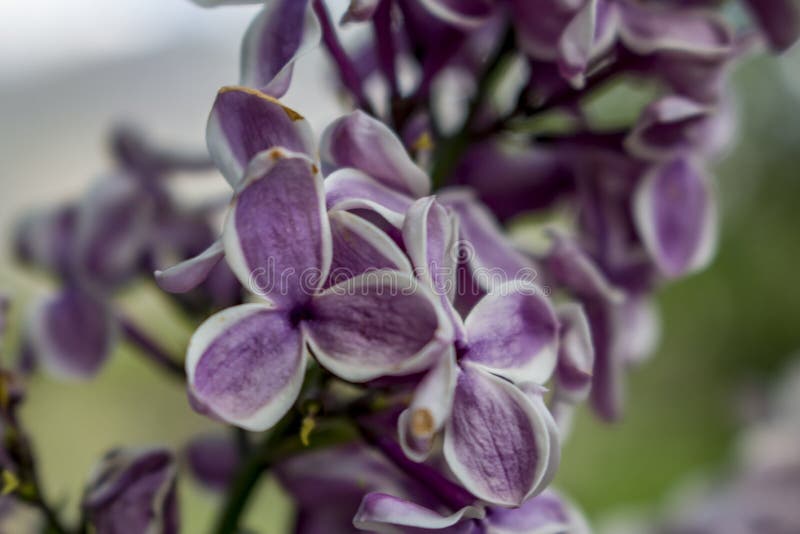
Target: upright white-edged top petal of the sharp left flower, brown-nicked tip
(277,236)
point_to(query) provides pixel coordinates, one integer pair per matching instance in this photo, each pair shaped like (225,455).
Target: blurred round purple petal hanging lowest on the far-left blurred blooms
(71,333)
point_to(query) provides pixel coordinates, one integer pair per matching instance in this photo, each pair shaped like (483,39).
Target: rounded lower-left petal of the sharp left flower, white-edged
(246,364)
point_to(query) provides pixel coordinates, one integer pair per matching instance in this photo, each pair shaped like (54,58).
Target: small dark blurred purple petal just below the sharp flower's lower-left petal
(213,459)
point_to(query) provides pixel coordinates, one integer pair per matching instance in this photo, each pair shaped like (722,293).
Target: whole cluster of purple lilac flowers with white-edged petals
(384,282)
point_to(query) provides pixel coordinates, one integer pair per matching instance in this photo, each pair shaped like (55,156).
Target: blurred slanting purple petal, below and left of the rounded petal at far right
(572,268)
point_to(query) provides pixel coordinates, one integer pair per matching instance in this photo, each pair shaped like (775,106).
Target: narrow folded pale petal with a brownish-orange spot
(429,409)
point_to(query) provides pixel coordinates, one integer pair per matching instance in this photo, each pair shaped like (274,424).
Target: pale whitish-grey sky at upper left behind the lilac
(69,69)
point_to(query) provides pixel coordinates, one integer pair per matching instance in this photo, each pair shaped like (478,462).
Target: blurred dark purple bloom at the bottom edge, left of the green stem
(133,491)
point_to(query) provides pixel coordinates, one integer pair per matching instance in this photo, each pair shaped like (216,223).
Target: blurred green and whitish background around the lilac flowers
(71,70)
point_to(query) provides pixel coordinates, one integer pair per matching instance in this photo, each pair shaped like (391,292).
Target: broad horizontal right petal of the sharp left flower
(381,323)
